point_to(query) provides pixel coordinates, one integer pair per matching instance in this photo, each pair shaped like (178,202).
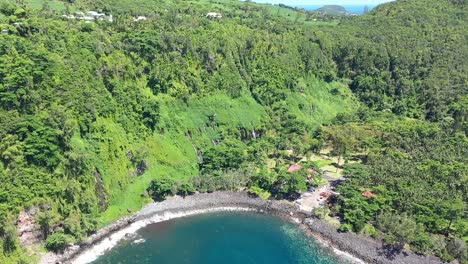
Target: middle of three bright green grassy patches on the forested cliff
(206,118)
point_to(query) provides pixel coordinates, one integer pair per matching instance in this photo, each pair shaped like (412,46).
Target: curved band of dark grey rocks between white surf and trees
(364,248)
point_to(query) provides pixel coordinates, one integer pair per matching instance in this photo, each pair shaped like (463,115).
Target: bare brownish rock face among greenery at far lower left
(28,230)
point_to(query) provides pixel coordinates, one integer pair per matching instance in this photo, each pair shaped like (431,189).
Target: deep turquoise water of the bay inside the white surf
(227,237)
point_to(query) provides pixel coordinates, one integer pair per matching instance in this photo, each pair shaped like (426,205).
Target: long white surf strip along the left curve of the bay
(112,240)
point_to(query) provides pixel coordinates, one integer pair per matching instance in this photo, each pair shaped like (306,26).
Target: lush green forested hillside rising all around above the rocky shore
(97,117)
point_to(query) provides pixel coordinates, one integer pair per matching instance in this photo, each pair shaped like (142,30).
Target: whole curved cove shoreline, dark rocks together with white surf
(356,248)
